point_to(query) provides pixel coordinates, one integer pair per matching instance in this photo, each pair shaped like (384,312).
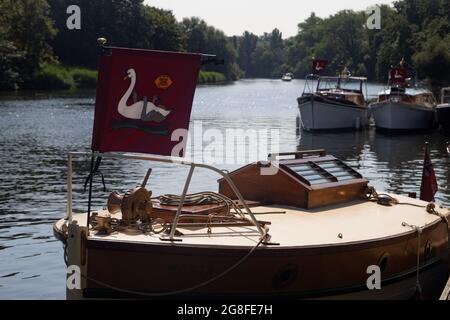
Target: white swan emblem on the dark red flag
(147,111)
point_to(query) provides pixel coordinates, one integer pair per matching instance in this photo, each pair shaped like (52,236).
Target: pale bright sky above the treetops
(259,16)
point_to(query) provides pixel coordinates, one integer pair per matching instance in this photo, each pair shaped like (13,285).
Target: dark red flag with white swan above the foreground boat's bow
(143,96)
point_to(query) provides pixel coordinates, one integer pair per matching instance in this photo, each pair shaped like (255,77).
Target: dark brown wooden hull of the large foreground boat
(118,269)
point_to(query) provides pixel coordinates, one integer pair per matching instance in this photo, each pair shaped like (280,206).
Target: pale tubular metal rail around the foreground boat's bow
(158,159)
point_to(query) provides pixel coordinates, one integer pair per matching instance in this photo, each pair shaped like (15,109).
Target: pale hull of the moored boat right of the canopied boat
(392,116)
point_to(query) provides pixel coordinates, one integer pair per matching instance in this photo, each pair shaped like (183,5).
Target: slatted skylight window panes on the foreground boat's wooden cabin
(326,172)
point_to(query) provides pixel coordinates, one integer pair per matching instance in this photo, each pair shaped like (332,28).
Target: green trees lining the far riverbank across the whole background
(35,42)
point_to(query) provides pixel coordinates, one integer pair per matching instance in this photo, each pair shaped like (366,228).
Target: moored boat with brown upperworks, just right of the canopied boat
(402,106)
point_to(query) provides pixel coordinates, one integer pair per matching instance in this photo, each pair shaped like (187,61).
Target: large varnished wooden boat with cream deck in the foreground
(301,225)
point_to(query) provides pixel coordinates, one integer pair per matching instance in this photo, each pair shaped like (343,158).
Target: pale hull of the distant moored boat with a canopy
(318,114)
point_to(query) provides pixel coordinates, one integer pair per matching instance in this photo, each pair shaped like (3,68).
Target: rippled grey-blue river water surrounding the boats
(37,132)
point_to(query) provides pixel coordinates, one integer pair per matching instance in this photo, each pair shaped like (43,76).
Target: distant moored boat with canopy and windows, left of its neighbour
(337,104)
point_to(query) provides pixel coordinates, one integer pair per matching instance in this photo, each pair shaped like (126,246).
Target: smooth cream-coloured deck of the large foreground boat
(360,222)
